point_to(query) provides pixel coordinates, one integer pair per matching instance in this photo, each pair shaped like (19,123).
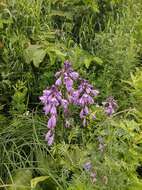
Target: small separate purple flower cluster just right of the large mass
(110,106)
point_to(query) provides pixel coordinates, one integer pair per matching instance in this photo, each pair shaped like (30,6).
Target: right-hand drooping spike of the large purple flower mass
(84,97)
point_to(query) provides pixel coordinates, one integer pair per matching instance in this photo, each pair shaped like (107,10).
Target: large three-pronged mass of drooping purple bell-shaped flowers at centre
(53,98)
